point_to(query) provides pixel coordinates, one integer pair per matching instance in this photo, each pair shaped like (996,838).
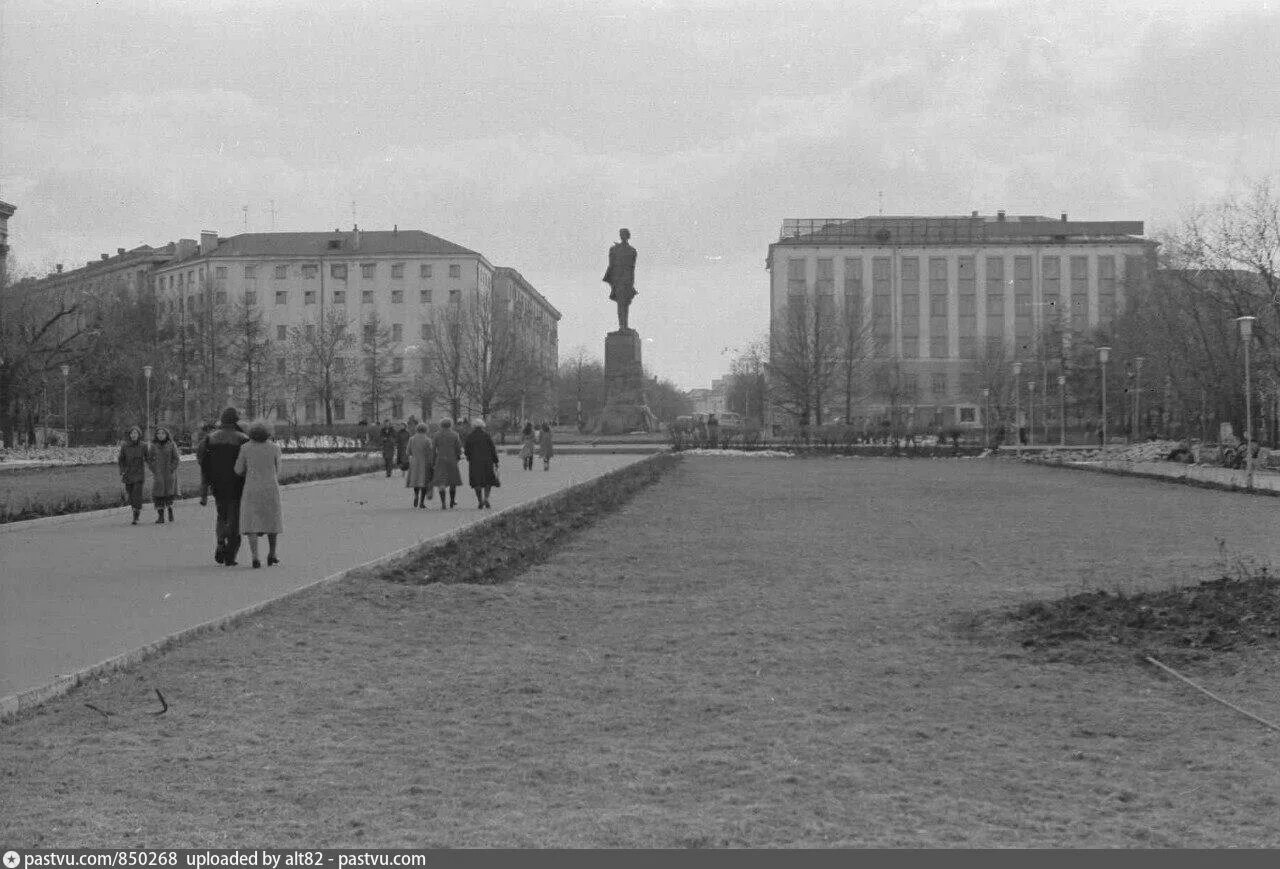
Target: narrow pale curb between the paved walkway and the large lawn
(15,705)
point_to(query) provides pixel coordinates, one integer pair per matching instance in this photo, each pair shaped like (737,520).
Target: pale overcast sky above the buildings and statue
(532,132)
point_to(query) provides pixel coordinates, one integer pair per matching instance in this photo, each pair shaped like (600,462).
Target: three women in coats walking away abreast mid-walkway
(433,463)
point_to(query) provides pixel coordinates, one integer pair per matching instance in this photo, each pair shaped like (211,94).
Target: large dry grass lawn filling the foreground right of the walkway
(752,653)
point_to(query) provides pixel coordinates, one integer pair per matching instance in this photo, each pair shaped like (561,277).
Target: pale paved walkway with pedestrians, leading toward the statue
(80,591)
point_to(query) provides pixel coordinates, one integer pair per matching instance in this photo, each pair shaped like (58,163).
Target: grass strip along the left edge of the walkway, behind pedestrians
(35,493)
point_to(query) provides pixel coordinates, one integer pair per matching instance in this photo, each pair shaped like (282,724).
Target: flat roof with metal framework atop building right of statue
(975,230)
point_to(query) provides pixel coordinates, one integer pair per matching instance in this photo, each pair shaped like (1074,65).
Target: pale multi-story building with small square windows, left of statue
(400,281)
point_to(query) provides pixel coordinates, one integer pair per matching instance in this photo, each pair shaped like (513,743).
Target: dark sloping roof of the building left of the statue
(372,243)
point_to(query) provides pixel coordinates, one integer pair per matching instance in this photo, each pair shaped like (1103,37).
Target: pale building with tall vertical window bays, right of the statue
(939,301)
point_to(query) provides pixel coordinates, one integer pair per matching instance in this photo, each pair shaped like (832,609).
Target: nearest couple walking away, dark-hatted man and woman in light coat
(244,473)
